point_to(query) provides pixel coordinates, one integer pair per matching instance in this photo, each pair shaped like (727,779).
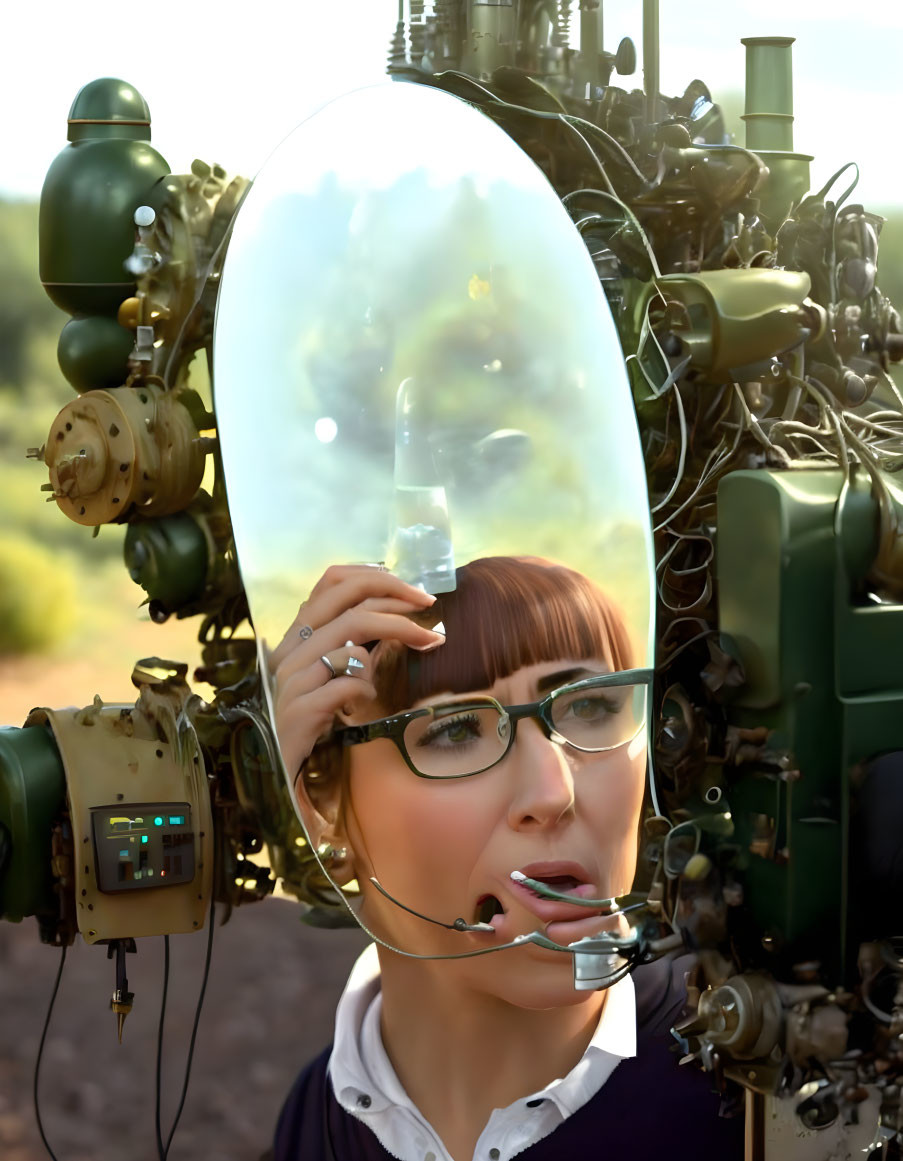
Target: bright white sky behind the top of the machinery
(230,90)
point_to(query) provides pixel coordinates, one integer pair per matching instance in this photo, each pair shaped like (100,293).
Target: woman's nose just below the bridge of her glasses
(543,782)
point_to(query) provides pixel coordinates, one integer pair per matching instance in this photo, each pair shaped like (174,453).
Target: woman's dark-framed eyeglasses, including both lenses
(460,739)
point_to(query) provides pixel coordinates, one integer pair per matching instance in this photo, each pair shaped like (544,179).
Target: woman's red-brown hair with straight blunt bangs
(505,614)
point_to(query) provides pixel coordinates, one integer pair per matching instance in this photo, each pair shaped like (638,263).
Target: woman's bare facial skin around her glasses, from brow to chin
(447,848)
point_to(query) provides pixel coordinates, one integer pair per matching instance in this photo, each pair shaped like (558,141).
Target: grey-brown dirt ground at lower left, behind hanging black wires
(269,1009)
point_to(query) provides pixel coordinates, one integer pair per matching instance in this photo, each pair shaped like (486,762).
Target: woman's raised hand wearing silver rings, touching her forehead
(350,607)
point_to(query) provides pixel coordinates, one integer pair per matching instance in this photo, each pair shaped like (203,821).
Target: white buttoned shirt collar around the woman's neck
(367,1087)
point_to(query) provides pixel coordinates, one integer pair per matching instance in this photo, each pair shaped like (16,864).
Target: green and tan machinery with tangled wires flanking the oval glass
(760,349)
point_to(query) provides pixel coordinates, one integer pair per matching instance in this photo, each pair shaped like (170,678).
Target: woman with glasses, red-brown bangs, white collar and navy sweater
(496,741)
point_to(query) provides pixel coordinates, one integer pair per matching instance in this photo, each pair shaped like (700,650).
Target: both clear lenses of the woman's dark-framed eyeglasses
(458,740)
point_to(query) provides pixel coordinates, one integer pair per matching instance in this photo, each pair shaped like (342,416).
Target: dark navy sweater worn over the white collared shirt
(649,1108)
